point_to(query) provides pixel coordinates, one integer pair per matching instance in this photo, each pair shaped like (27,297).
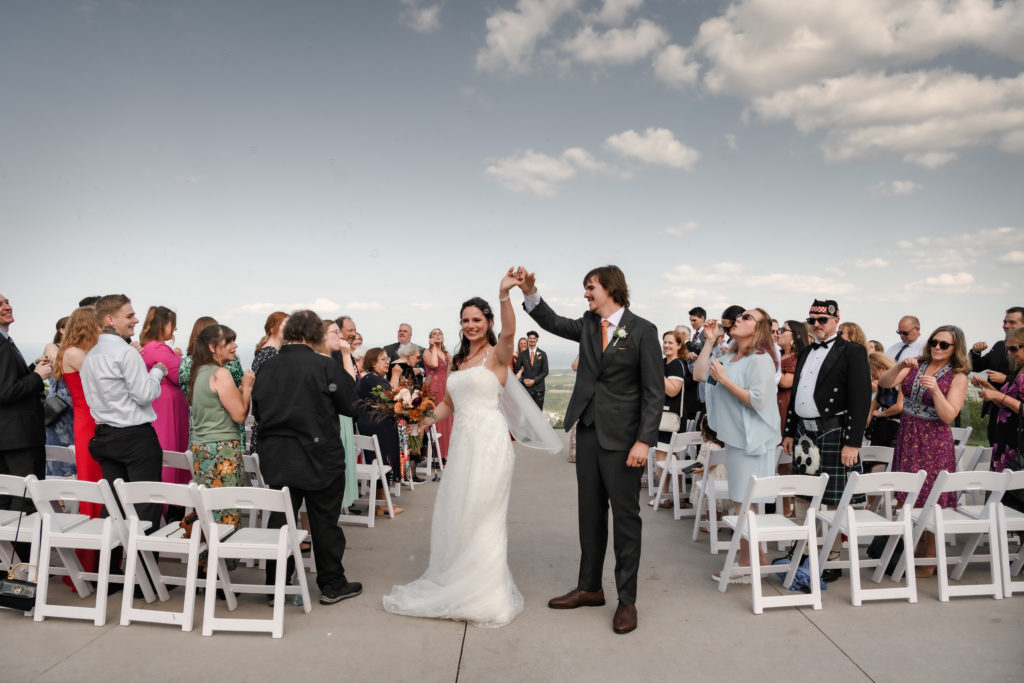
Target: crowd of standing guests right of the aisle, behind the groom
(821,390)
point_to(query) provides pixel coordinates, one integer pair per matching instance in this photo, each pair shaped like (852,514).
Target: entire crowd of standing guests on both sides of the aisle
(818,388)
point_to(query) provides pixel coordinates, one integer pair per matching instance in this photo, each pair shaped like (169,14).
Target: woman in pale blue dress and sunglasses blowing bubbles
(741,394)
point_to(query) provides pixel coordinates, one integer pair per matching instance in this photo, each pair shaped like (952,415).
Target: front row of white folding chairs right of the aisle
(861,525)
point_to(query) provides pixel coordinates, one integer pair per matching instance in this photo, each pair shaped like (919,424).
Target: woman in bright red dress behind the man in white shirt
(81,334)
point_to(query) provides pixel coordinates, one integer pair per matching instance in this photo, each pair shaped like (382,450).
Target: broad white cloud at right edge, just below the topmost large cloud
(924,116)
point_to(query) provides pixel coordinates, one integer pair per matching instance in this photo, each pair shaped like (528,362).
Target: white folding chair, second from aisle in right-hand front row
(864,525)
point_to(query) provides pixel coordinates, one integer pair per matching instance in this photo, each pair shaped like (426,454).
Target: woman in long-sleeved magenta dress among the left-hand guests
(172,406)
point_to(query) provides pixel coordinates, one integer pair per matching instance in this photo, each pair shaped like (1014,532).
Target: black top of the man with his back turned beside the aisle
(296,401)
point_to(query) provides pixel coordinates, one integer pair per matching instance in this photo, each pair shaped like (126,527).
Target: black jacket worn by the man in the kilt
(844,385)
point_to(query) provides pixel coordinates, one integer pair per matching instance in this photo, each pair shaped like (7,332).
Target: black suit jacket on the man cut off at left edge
(21,402)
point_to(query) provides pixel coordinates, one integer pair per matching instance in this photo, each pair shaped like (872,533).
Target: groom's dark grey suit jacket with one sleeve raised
(624,386)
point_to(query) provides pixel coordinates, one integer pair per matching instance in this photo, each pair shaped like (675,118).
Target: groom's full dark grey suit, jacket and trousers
(618,400)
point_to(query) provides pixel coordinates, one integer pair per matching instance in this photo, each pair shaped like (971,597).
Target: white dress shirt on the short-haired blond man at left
(119,391)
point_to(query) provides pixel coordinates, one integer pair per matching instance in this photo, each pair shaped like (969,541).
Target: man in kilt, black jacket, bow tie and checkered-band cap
(825,424)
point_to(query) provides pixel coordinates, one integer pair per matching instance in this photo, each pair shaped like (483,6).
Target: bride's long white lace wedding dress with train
(468,577)
